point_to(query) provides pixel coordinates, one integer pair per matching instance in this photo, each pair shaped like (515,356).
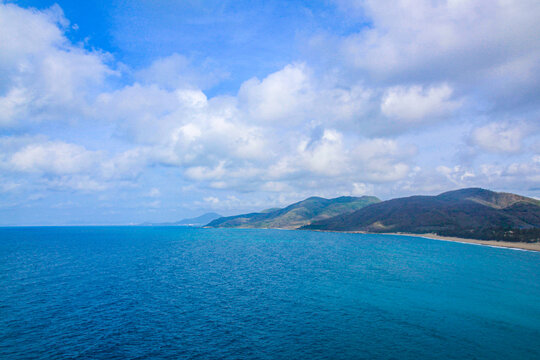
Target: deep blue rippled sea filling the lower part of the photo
(170,293)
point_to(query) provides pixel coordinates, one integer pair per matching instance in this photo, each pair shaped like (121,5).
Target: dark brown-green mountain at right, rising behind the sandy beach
(469,213)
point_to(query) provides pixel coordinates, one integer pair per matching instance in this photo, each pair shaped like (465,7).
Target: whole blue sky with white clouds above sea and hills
(121,111)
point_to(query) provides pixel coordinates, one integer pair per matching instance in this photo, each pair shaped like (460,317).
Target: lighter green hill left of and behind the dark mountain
(297,214)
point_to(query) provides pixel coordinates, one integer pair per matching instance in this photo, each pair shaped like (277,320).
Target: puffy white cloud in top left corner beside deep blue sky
(43,75)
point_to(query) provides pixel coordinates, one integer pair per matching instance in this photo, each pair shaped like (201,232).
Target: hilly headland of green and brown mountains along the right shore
(471,213)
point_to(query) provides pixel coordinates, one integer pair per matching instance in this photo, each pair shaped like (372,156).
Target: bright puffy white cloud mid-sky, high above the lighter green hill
(294,95)
